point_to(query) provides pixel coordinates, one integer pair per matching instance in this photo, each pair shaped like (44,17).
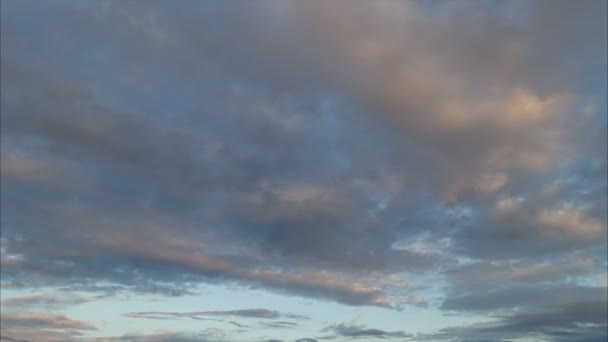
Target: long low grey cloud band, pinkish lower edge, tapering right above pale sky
(312,284)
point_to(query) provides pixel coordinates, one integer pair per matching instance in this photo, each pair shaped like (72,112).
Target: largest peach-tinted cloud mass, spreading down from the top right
(371,46)
